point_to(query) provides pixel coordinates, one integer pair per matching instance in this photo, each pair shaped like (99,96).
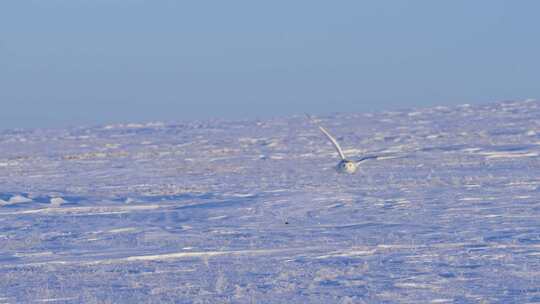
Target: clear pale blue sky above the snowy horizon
(76,62)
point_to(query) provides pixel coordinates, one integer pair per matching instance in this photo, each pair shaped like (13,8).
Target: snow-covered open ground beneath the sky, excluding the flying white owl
(254,212)
